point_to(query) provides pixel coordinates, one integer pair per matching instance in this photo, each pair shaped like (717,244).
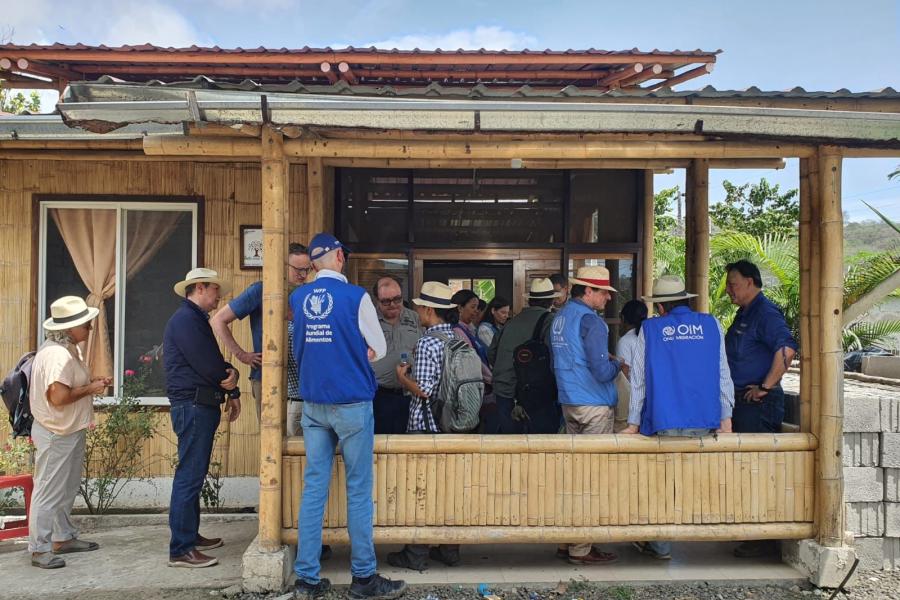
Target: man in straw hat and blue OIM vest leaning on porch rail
(680,383)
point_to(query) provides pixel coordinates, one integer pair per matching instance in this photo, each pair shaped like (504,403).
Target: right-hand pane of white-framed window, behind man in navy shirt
(157,250)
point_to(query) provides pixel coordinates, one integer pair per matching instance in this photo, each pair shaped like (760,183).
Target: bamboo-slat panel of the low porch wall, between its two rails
(574,489)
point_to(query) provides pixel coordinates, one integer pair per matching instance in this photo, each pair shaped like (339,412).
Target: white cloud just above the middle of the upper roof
(489,38)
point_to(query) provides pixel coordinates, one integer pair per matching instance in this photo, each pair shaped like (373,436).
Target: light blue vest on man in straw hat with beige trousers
(575,383)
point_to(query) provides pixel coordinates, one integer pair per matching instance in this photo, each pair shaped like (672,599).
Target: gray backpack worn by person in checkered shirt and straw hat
(461,388)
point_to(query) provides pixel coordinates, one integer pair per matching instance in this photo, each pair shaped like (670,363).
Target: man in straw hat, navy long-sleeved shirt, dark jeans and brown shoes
(197,382)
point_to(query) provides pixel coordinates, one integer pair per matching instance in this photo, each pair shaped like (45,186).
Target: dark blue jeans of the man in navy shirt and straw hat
(195,425)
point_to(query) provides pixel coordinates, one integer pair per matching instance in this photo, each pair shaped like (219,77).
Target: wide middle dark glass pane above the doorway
(496,206)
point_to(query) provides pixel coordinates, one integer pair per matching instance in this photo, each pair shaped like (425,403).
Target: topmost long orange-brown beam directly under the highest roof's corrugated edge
(356,58)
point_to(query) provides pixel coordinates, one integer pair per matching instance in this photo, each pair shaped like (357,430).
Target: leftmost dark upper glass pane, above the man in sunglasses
(374,207)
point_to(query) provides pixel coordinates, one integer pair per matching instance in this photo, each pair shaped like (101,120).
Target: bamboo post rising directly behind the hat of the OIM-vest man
(697,232)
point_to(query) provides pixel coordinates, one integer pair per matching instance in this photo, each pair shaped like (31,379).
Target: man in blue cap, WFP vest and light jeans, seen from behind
(336,336)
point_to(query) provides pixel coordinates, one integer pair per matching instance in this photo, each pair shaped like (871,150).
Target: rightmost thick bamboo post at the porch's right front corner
(830,483)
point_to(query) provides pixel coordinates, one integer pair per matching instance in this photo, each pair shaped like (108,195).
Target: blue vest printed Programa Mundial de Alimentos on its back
(330,350)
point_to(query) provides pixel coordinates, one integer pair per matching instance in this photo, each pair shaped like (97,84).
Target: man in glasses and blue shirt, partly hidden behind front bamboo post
(249,304)
